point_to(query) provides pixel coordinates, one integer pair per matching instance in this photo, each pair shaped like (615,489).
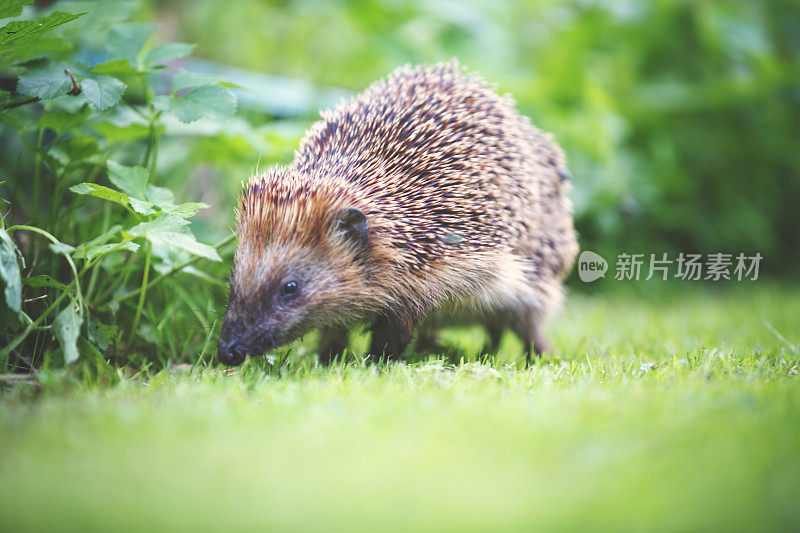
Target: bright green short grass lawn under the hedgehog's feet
(673,410)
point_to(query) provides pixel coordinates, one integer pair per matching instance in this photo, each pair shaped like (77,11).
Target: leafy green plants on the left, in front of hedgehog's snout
(90,243)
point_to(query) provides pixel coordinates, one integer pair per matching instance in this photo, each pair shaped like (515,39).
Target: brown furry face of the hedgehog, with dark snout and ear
(281,290)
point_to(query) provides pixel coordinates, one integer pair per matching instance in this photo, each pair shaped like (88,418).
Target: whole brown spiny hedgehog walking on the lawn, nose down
(427,195)
